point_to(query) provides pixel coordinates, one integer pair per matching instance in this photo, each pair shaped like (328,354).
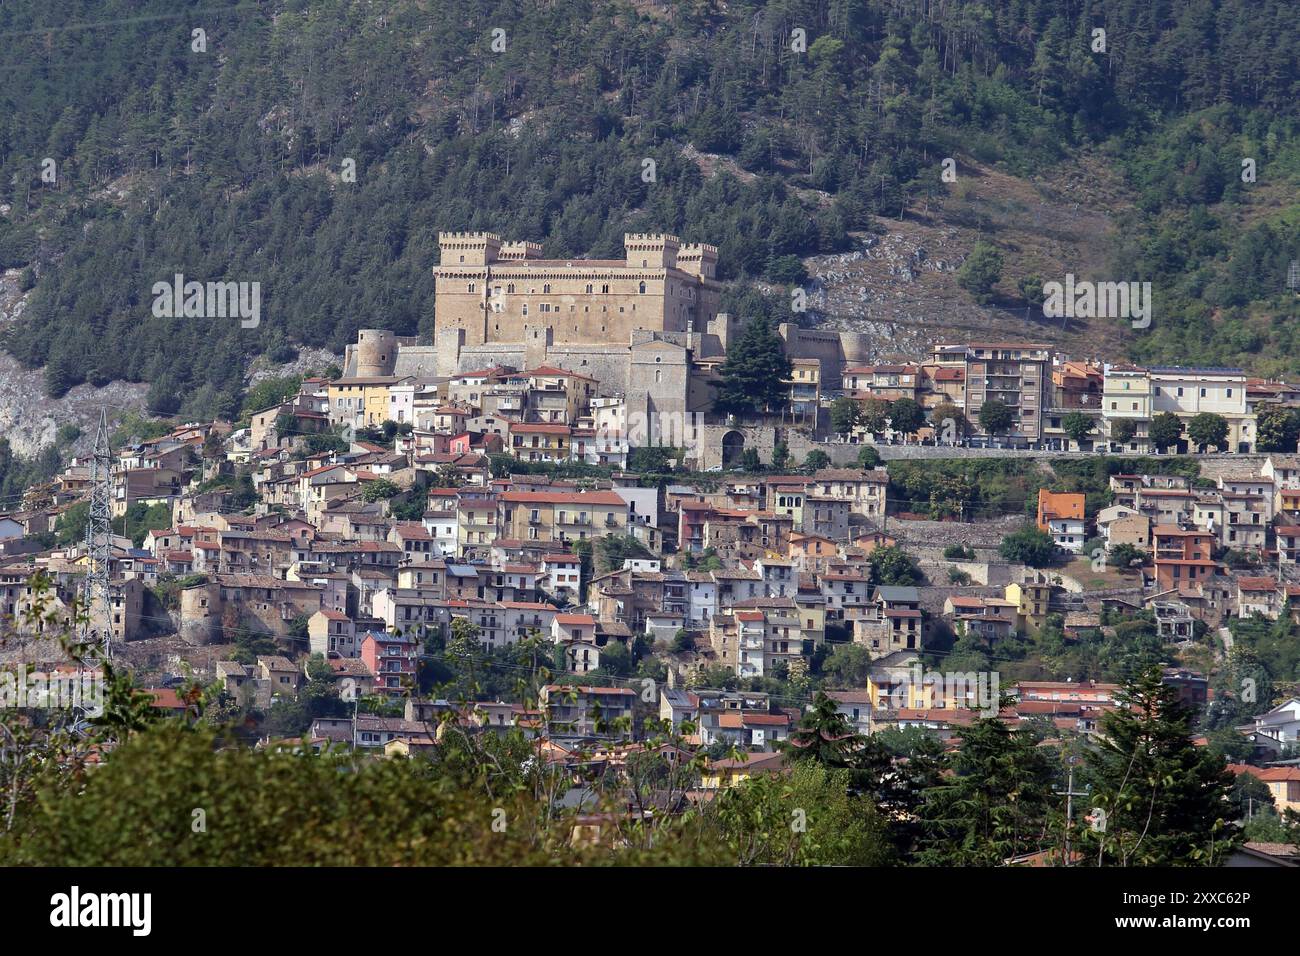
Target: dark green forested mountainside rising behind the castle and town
(227,165)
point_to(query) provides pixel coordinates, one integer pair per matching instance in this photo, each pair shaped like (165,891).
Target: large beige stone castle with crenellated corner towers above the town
(647,327)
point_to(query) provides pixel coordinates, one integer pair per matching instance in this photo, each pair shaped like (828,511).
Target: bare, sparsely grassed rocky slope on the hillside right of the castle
(899,288)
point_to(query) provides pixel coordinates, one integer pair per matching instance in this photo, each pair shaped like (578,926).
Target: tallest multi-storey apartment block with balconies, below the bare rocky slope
(1019,375)
